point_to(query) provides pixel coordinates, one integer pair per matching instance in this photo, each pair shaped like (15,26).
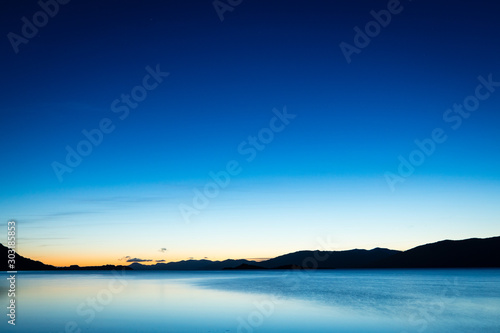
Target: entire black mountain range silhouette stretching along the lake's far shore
(468,253)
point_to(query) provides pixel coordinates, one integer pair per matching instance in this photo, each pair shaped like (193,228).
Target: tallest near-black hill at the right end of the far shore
(474,252)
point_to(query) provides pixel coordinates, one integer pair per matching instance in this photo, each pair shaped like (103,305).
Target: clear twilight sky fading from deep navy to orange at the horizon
(169,130)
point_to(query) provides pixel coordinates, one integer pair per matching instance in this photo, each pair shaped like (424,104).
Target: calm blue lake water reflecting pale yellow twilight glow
(256,301)
